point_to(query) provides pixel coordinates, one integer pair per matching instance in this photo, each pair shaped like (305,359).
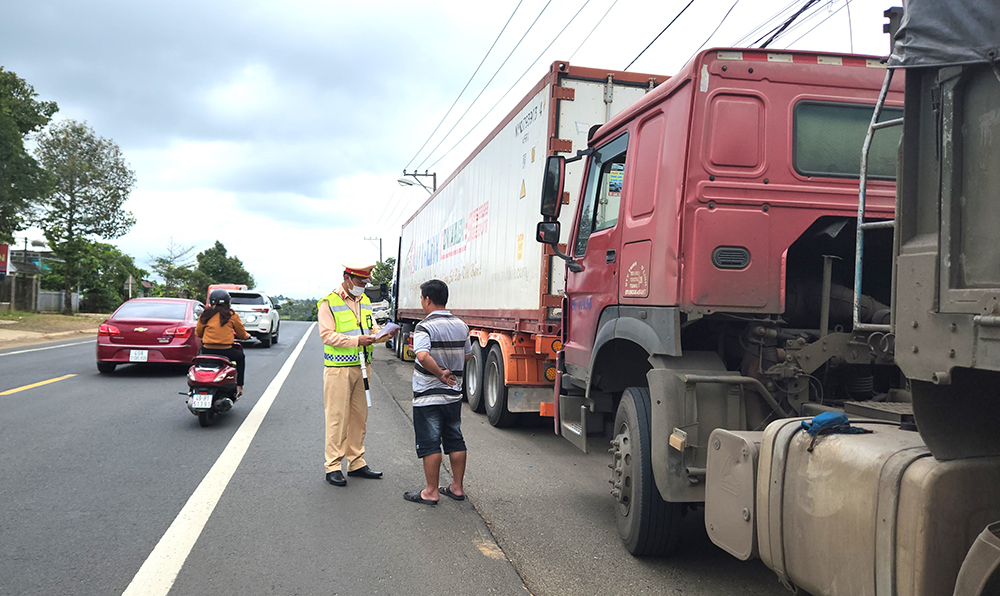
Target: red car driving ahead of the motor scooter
(159,330)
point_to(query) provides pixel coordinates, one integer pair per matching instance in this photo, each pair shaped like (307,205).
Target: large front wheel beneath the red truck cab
(647,524)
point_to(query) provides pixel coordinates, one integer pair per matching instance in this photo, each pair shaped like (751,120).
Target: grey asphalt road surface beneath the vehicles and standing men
(96,468)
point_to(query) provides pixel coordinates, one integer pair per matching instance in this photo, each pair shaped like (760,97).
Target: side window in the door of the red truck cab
(601,200)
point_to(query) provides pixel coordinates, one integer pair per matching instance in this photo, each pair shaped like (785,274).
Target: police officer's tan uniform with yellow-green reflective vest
(343,319)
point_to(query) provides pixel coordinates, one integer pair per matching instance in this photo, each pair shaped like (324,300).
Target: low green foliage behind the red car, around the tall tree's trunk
(103,276)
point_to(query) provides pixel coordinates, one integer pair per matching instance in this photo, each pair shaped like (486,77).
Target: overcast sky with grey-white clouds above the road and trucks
(280,128)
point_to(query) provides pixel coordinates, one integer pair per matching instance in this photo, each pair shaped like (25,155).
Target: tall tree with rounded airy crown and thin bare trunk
(91,184)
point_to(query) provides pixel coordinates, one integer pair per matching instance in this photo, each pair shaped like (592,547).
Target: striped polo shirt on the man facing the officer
(446,338)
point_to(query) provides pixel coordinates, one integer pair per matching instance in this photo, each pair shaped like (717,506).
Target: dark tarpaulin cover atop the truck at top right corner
(947,32)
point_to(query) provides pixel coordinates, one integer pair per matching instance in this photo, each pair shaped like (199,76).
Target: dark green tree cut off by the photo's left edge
(22,181)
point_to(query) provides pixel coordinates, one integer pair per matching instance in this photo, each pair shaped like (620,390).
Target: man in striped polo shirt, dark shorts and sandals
(442,346)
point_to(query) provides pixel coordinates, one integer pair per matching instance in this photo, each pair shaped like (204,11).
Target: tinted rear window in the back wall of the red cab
(828,139)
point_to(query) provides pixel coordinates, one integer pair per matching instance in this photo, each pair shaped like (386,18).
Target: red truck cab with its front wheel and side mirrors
(707,213)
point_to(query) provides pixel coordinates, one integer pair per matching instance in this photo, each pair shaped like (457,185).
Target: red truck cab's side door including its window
(595,245)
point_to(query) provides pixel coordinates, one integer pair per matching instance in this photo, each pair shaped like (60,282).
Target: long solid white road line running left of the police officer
(159,571)
